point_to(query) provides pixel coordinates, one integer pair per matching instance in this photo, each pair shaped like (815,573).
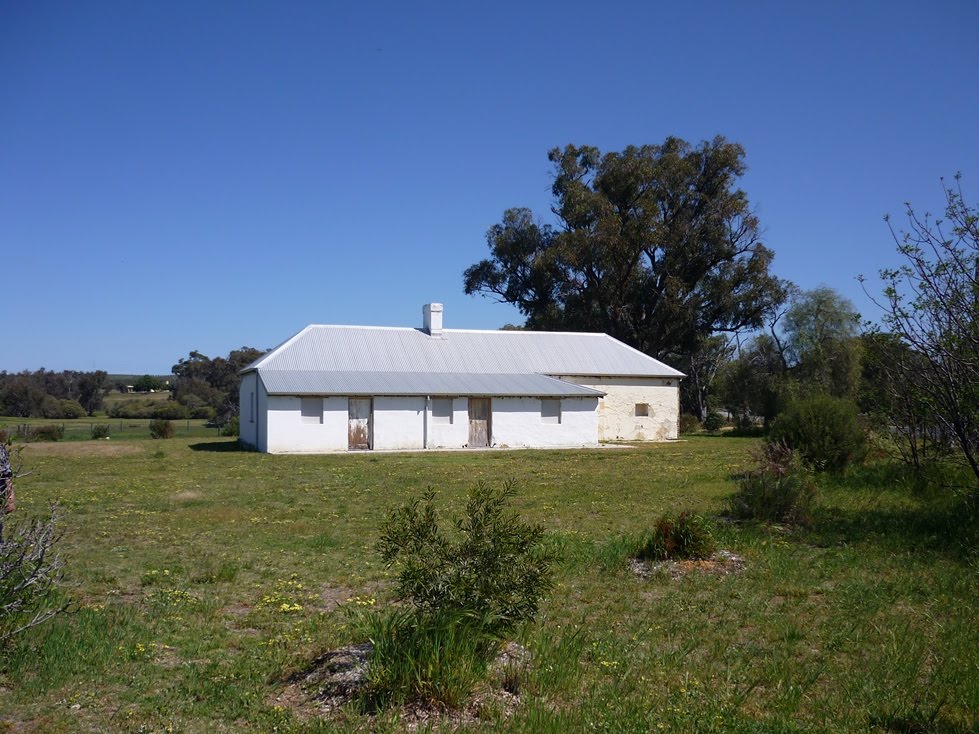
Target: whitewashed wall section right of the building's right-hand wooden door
(517,422)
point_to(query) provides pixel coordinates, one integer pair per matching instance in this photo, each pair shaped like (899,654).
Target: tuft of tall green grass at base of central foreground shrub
(436,658)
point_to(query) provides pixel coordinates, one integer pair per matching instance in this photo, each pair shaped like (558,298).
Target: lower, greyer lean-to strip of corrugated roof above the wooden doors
(324,382)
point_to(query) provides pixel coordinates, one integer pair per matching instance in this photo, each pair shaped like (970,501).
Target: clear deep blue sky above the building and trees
(180,176)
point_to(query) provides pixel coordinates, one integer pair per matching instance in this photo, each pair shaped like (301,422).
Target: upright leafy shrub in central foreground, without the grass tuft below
(496,570)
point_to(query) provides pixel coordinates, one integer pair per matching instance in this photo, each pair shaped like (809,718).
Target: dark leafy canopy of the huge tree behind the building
(654,245)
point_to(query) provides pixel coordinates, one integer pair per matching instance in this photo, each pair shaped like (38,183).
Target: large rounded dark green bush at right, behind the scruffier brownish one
(824,430)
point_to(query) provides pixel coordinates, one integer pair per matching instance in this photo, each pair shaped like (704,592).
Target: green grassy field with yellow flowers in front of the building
(204,576)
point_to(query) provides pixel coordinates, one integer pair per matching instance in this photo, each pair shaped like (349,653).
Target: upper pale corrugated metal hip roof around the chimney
(359,349)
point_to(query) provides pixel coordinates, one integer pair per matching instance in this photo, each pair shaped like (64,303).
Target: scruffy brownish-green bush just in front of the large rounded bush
(780,489)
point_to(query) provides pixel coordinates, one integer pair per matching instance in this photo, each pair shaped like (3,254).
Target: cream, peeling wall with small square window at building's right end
(617,417)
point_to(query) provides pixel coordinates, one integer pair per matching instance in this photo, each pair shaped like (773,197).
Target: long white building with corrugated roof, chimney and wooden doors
(340,388)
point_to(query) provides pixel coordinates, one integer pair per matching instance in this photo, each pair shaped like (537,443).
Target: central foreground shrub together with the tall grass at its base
(463,594)
